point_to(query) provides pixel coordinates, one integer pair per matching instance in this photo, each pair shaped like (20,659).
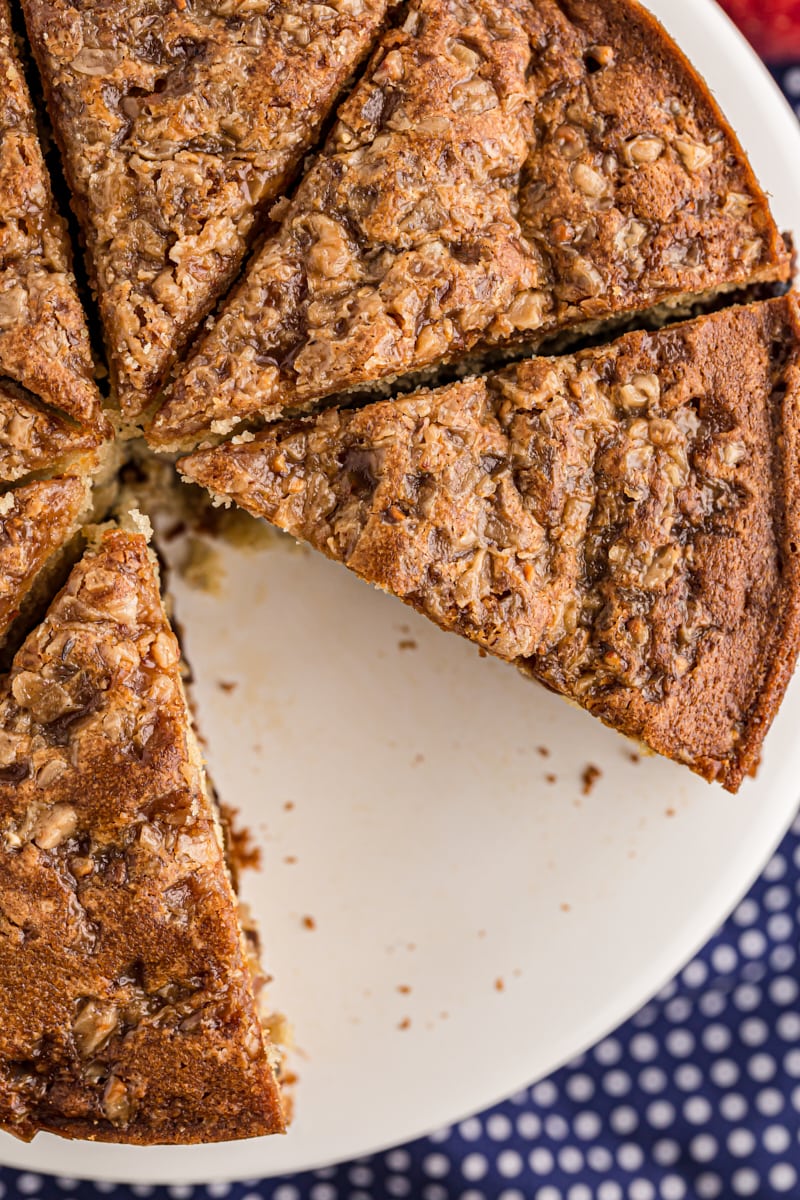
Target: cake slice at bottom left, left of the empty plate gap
(129,1012)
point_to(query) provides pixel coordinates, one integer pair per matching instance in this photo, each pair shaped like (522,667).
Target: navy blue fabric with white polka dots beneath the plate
(697,1097)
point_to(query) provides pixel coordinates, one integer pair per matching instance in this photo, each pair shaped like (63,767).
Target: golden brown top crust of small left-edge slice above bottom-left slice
(37,521)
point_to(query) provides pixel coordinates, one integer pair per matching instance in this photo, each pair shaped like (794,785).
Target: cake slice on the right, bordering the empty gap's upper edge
(624,524)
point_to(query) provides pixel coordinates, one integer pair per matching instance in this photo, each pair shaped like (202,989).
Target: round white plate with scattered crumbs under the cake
(430,849)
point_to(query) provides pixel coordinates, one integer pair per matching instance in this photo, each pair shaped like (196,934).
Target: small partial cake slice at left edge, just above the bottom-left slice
(39,527)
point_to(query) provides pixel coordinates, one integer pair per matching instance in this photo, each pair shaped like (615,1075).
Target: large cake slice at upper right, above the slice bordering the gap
(502,171)
